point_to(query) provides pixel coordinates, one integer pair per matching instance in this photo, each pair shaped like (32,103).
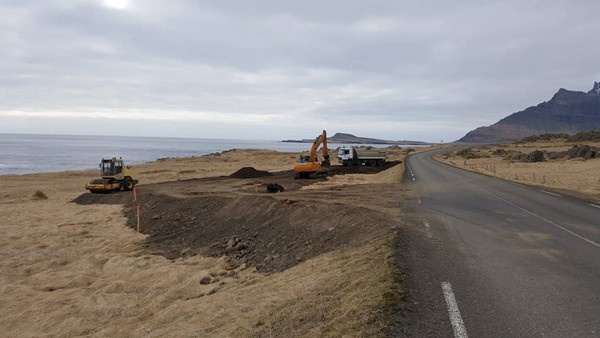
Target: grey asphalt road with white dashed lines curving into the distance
(499,259)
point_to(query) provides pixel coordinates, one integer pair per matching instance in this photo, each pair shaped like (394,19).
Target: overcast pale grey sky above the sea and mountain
(272,70)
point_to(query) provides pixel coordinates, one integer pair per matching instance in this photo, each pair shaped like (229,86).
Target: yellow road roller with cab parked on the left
(115,175)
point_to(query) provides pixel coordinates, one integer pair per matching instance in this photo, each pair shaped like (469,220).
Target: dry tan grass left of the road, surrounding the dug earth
(74,270)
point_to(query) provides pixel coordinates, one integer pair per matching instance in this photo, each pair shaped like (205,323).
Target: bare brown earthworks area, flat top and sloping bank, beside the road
(235,217)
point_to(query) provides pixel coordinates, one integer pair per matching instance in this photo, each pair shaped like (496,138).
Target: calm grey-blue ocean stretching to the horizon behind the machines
(28,154)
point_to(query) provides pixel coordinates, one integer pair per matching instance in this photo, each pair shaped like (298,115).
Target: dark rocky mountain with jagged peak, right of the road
(567,112)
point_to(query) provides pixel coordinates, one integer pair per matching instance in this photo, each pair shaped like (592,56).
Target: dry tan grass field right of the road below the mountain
(578,176)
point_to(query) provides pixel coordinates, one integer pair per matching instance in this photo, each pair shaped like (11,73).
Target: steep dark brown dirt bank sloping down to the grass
(261,231)
